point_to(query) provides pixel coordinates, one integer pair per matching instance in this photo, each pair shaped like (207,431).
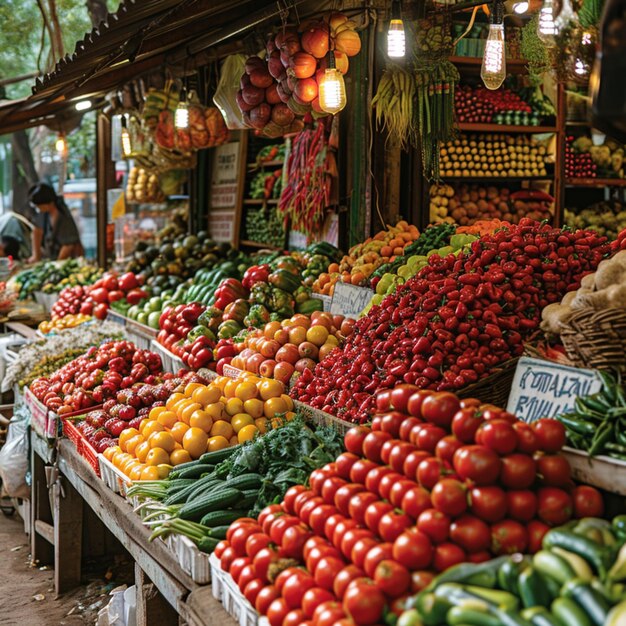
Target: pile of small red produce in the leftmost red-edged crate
(96,376)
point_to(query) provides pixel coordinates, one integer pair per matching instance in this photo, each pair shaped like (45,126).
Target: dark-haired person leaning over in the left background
(55,234)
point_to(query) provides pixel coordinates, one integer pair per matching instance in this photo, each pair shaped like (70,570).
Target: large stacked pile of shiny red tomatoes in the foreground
(436,481)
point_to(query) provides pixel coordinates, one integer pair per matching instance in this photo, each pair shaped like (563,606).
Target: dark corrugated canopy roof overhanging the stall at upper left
(141,36)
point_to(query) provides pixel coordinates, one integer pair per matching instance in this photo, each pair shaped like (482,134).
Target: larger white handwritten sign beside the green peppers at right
(545,389)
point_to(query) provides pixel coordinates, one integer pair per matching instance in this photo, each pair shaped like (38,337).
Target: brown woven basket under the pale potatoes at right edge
(596,339)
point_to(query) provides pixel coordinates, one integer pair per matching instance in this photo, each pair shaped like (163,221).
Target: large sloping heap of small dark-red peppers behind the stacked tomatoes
(457,319)
